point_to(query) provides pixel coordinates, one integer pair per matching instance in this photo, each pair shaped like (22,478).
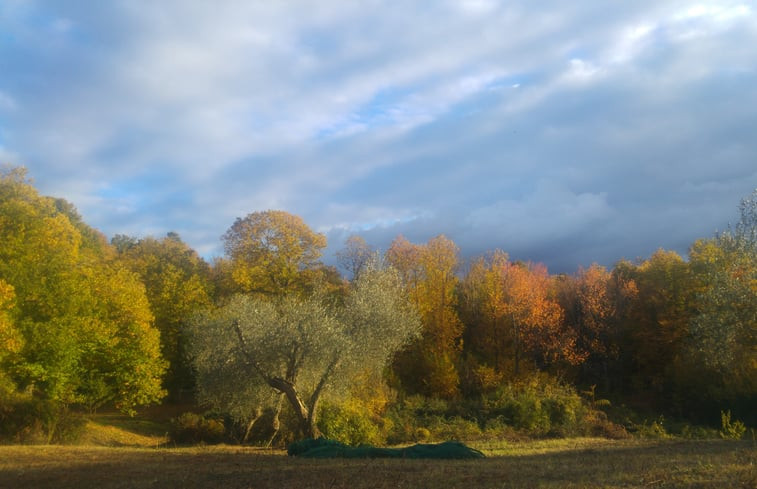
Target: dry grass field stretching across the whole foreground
(568,463)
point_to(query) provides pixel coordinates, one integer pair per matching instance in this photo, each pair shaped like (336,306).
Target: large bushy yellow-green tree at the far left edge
(85,326)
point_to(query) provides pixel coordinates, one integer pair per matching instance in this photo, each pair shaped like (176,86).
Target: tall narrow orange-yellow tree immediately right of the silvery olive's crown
(430,365)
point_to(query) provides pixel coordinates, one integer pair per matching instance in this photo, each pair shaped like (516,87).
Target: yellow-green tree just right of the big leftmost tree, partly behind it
(177,282)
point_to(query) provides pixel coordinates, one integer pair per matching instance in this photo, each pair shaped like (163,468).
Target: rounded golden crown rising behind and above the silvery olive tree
(273,252)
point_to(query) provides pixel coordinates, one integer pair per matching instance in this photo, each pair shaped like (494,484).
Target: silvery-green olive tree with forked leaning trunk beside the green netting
(299,347)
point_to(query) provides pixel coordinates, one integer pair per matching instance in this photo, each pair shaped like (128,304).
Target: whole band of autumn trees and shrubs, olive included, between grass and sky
(267,343)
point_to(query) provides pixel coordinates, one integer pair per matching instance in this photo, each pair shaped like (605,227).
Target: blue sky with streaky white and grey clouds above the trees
(566,133)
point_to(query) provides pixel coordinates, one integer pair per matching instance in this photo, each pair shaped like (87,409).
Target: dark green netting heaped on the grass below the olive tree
(323,448)
